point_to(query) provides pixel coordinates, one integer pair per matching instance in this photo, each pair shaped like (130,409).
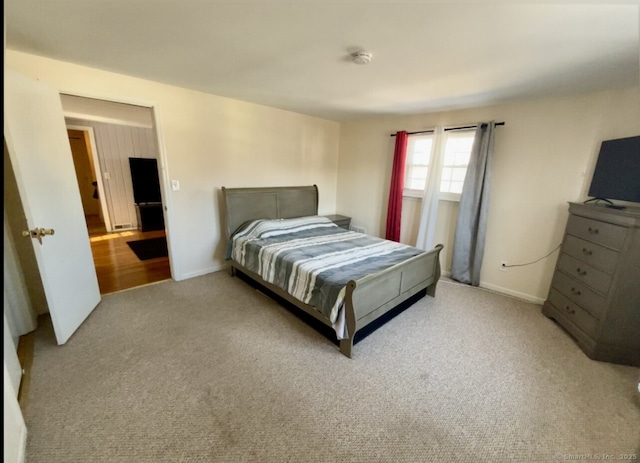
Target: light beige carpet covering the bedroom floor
(209,370)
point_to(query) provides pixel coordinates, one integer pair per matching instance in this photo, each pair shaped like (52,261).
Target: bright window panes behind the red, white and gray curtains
(421,152)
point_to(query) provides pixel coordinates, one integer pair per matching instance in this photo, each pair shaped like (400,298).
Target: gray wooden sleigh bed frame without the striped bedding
(366,299)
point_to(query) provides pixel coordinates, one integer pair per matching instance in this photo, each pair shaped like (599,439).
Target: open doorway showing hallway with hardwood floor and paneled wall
(117,232)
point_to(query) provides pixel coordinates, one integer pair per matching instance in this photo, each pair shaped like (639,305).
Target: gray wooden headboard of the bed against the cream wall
(243,204)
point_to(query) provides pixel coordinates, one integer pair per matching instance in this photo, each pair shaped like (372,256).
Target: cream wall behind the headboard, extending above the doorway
(208,142)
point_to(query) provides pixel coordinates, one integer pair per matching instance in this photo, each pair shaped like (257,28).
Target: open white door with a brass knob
(36,137)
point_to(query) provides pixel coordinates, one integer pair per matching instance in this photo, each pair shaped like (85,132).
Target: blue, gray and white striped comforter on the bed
(313,259)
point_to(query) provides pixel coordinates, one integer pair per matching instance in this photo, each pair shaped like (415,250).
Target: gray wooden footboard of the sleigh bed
(371,297)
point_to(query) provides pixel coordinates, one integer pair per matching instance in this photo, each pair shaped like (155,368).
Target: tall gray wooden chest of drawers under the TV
(595,292)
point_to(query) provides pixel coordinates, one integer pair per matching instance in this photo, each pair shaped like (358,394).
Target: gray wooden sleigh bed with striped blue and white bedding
(276,238)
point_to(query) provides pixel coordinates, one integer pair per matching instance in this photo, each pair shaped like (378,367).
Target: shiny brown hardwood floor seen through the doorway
(118,268)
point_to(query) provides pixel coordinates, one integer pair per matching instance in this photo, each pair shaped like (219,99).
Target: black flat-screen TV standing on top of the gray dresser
(617,172)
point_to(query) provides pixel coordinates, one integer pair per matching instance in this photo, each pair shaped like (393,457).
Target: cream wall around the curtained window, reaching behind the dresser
(544,157)
